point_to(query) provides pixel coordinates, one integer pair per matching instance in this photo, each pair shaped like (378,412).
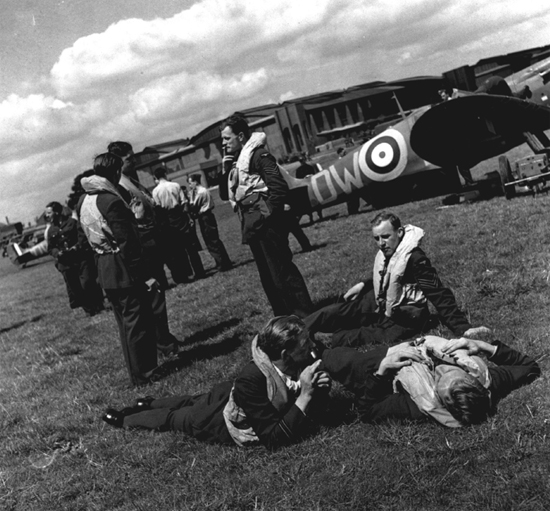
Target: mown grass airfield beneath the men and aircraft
(60,370)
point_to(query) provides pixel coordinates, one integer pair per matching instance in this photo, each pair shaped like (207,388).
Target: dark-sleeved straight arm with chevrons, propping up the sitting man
(441,297)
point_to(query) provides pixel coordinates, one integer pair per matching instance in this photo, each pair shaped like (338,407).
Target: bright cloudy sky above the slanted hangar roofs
(76,74)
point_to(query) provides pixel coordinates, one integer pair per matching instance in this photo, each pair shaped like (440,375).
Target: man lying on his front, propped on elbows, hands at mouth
(268,402)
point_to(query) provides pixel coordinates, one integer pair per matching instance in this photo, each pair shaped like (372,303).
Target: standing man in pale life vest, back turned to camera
(112,232)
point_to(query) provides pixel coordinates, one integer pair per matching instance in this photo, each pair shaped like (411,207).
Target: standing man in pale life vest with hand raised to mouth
(258,191)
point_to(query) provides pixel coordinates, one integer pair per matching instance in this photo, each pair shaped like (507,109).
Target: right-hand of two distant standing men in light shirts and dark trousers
(202,205)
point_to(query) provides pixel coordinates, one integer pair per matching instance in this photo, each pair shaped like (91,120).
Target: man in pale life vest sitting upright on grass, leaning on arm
(394,304)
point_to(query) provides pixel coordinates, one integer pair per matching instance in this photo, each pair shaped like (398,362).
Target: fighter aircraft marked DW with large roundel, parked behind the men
(418,157)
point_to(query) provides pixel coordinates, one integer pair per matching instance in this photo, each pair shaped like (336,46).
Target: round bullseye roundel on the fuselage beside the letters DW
(384,157)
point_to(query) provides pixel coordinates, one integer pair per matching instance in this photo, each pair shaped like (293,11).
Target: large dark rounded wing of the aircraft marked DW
(470,129)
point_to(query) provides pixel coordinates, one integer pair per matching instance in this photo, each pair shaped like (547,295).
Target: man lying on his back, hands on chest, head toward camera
(444,380)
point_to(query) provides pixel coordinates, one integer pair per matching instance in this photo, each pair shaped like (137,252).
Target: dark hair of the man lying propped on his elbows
(281,333)
